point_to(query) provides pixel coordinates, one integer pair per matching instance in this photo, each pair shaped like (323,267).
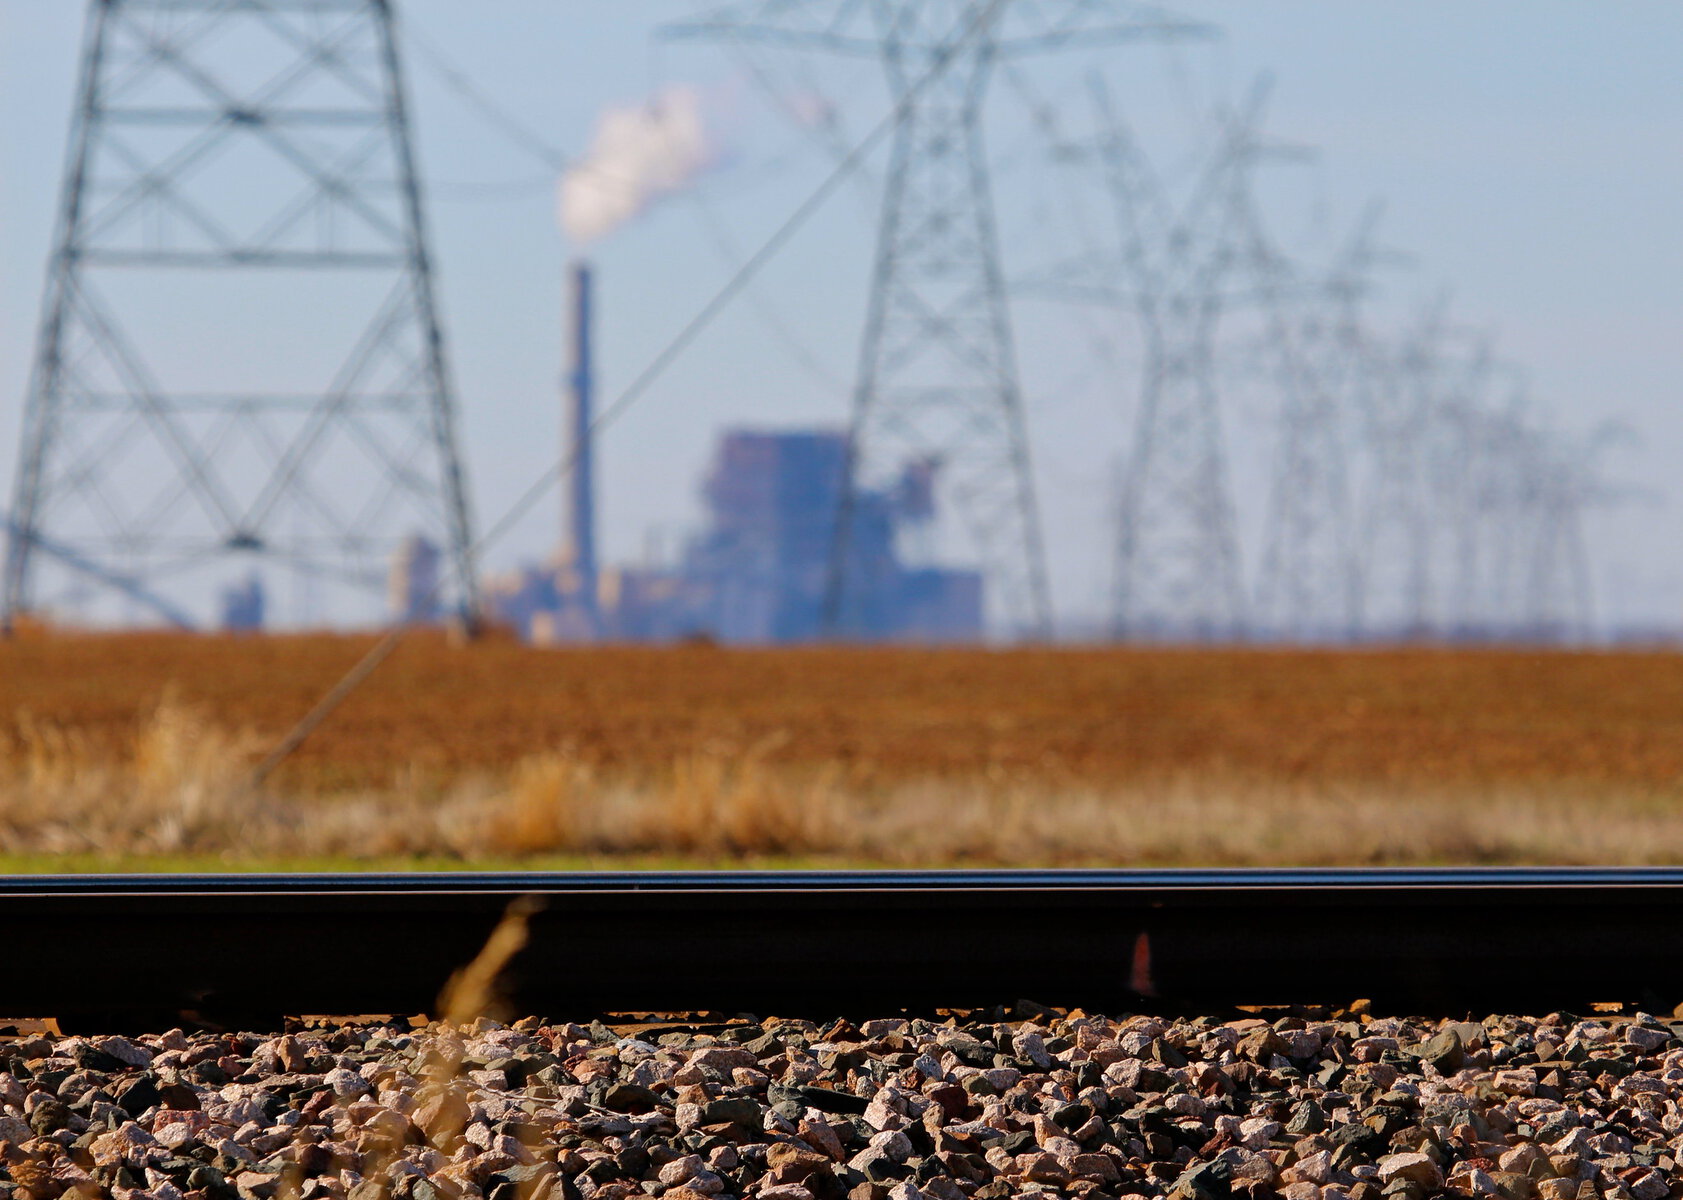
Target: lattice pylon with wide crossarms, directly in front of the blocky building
(938,373)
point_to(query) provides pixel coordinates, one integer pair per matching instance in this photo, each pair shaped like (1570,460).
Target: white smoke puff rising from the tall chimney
(640,156)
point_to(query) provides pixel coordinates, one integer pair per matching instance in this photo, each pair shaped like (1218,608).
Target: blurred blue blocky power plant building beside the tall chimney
(760,568)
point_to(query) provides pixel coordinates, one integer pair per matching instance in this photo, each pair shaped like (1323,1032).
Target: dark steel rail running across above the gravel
(147,952)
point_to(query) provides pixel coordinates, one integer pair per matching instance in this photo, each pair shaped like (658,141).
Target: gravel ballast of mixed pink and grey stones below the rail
(1341,1108)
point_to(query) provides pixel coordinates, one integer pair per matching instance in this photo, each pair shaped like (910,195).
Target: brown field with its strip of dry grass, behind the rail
(141,745)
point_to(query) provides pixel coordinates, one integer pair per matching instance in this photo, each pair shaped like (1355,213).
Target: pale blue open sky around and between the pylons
(1526,154)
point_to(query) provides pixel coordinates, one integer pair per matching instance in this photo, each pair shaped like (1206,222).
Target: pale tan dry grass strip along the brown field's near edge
(186,792)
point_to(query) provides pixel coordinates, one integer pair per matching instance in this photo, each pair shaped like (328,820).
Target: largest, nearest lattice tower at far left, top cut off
(240,169)
